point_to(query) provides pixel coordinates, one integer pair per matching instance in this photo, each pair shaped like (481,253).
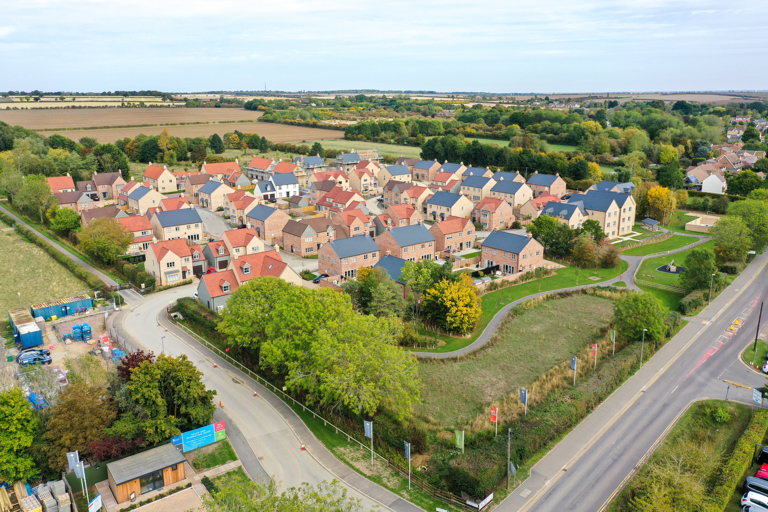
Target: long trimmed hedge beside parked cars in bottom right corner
(740,459)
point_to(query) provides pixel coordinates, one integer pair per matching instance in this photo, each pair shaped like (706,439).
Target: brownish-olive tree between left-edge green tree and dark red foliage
(82,415)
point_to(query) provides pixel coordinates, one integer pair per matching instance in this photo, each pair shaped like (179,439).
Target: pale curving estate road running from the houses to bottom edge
(269,427)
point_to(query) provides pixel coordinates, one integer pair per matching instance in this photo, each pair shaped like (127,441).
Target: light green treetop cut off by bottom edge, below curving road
(237,494)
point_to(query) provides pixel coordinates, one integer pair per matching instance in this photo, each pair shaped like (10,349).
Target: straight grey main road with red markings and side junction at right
(596,459)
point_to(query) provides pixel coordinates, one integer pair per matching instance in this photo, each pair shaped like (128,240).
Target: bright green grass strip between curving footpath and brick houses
(492,302)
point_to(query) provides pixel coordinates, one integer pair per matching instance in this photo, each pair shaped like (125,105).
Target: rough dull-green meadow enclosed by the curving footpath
(454,392)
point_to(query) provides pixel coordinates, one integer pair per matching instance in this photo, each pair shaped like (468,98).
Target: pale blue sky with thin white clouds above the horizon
(506,46)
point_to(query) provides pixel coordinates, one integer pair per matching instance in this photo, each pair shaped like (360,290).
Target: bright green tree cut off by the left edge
(18,424)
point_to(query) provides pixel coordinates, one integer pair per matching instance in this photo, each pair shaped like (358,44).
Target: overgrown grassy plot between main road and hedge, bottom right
(692,452)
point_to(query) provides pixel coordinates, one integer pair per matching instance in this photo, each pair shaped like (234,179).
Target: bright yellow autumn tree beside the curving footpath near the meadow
(454,306)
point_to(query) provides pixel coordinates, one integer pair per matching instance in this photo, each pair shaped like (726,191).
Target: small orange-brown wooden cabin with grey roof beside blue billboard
(145,472)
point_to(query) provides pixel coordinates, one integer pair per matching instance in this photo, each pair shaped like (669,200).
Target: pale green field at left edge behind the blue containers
(35,274)
